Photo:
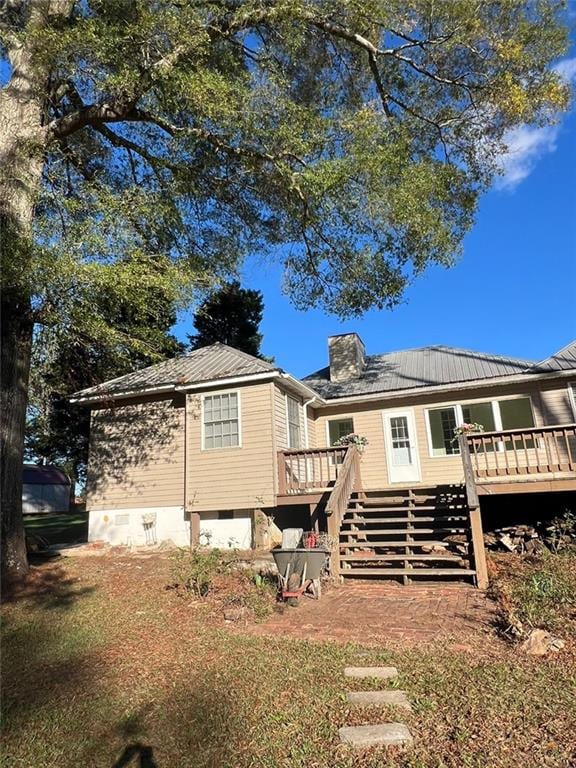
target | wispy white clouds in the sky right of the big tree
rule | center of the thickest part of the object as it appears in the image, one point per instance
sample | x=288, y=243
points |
x=527, y=145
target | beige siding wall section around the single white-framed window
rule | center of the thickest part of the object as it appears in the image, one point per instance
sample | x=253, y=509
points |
x=240, y=477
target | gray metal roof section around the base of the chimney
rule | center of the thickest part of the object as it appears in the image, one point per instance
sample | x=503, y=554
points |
x=412, y=368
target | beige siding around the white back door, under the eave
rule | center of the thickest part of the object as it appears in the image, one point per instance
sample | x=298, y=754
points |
x=550, y=405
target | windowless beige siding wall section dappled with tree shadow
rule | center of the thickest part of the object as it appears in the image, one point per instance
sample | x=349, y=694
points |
x=137, y=455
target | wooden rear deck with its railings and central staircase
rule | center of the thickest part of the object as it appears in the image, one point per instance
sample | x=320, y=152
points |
x=423, y=532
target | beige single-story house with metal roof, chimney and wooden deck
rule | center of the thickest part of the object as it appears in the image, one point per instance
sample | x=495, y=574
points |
x=215, y=446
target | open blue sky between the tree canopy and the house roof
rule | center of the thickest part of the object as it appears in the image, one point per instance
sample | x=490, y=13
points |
x=513, y=292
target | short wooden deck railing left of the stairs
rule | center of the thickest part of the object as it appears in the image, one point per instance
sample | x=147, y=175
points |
x=310, y=469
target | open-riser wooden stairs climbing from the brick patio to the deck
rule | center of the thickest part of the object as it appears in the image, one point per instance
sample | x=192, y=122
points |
x=407, y=534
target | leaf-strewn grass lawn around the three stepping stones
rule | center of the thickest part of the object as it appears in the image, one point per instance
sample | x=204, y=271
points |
x=103, y=666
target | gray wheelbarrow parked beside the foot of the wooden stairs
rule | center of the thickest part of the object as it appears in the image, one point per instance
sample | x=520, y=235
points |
x=298, y=572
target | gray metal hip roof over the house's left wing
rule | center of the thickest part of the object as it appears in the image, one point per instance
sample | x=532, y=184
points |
x=217, y=361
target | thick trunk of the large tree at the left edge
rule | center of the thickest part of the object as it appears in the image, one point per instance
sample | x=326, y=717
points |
x=22, y=147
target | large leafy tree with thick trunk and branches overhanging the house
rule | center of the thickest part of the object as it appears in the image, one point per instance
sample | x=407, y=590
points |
x=140, y=140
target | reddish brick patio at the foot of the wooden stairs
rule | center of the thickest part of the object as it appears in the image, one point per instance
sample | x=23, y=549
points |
x=376, y=613
